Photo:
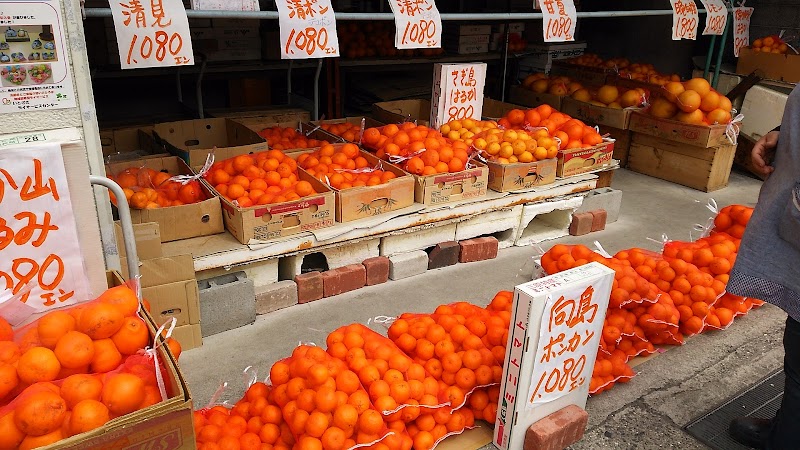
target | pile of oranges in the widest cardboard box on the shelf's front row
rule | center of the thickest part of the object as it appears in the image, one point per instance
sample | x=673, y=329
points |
x=259, y=179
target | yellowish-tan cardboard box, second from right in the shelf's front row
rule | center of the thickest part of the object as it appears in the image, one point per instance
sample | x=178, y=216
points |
x=521, y=176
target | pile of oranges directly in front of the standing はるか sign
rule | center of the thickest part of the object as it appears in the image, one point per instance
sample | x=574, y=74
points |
x=420, y=150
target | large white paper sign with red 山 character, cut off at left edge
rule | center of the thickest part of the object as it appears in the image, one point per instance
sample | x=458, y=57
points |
x=39, y=248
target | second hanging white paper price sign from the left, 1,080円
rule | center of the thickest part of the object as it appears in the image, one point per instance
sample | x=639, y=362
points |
x=308, y=29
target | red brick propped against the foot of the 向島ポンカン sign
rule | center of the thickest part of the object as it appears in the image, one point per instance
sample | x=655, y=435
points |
x=558, y=430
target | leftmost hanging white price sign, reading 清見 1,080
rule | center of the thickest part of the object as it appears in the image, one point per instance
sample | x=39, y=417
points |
x=152, y=34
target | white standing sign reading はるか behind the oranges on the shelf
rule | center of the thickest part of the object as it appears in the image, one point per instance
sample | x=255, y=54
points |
x=457, y=92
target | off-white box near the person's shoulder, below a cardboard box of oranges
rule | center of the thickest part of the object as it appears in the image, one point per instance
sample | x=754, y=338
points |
x=763, y=111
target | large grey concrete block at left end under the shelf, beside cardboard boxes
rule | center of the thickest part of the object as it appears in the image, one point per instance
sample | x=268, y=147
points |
x=226, y=302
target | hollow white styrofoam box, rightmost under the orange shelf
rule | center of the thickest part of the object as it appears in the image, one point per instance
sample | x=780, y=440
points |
x=545, y=221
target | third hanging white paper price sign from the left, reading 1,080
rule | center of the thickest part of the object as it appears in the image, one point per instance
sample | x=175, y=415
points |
x=417, y=24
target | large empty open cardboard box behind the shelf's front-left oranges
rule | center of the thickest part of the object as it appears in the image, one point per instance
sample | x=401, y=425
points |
x=193, y=140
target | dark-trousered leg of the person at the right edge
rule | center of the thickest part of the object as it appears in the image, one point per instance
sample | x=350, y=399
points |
x=785, y=433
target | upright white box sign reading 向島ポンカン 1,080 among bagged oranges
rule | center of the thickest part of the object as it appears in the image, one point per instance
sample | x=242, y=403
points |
x=569, y=303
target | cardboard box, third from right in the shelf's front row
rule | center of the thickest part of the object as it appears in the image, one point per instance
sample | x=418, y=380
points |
x=452, y=187
